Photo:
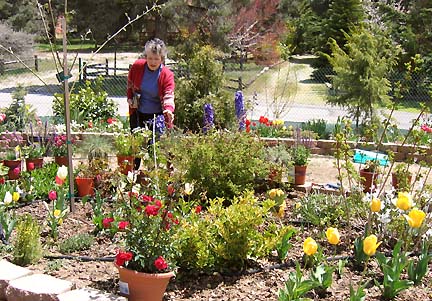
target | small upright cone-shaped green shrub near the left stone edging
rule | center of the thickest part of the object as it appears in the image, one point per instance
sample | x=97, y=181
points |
x=27, y=245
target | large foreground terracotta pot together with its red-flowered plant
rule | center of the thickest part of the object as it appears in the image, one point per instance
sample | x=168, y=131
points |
x=146, y=261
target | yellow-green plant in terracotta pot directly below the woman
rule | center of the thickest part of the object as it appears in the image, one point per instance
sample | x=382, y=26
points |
x=128, y=146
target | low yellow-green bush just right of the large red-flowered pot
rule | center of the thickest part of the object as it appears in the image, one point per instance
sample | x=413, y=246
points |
x=224, y=238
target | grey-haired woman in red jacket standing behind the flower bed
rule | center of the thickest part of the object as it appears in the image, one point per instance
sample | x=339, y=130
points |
x=152, y=83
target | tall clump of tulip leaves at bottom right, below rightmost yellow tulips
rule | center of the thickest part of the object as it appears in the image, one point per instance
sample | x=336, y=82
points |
x=392, y=269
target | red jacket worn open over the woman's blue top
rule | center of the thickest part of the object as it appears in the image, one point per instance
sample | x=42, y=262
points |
x=166, y=84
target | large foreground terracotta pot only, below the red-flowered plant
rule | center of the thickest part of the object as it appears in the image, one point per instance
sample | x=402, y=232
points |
x=138, y=286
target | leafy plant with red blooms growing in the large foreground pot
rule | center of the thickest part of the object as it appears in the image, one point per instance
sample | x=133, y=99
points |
x=149, y=227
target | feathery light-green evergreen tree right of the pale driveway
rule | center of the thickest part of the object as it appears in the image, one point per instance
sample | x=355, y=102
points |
x=361, y=72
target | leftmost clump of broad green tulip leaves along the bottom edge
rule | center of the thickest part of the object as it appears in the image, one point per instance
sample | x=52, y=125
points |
x=296, y=287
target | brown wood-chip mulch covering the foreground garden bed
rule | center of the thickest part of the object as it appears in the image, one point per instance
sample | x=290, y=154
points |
x=261, y=282
